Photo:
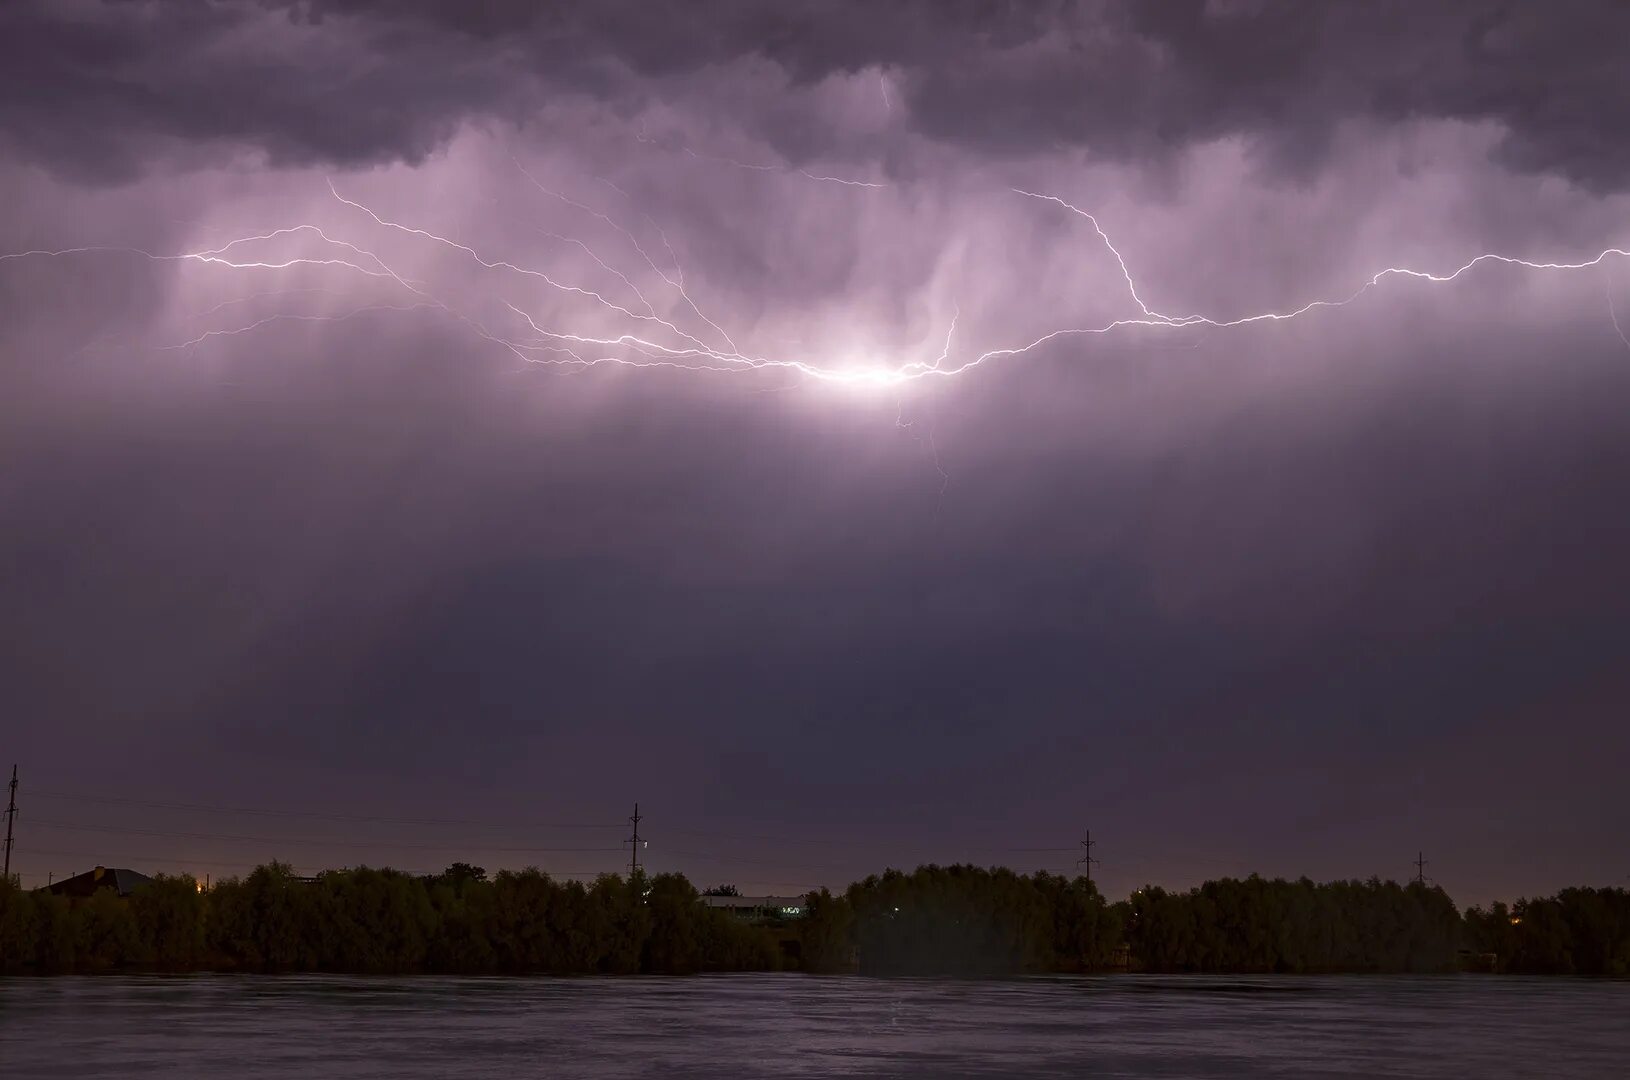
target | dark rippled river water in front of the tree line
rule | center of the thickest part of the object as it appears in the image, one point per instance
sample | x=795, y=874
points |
x=315, y=1027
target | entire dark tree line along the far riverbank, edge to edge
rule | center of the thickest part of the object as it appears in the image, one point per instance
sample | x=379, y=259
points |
x=933, y=921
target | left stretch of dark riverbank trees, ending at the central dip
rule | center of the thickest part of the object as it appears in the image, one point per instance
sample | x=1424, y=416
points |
x=385, y=921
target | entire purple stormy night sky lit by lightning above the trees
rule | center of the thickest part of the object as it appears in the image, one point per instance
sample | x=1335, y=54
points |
x=695, y=450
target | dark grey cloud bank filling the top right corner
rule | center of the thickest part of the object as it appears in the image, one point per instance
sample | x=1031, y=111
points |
x=1147, y=79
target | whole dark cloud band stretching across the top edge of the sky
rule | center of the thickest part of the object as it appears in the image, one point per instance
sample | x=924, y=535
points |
x=350, y=82
